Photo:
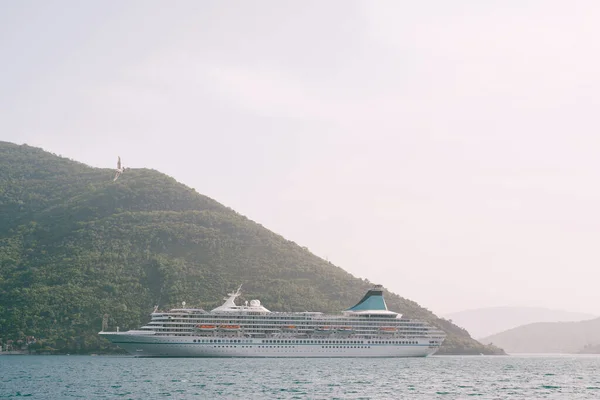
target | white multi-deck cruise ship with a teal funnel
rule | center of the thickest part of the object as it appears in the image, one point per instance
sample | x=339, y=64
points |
x=367, y=329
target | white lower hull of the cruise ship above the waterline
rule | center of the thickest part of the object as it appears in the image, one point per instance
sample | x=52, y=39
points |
x=189, y=346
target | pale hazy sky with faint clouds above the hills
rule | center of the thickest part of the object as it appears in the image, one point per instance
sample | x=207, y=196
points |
x=448, y=150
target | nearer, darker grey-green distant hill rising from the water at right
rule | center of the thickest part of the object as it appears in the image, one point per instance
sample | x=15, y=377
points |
x=550, y=337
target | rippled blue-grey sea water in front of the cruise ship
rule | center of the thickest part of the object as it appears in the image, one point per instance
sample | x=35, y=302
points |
x=443, y=377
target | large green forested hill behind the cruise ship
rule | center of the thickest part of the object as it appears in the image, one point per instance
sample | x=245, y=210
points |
x=75, y=245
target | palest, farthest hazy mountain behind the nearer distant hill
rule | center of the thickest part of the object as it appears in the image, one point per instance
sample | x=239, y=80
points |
x=484, y=322
